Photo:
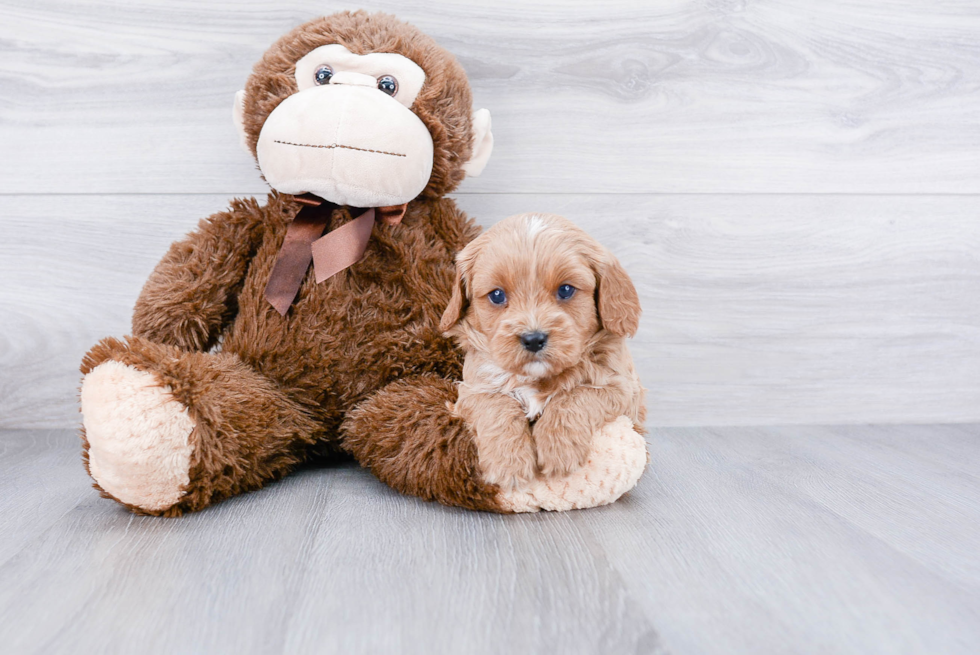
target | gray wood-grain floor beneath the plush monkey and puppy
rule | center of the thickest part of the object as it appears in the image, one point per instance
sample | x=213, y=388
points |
x=737, y=540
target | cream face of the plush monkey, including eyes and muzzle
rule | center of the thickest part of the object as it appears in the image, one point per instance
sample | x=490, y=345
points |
x=349, y=135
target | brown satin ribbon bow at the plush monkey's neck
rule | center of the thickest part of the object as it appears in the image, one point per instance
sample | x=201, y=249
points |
x=331, y=253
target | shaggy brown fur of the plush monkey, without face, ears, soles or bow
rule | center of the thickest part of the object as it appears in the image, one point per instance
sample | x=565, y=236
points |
x=278, y=388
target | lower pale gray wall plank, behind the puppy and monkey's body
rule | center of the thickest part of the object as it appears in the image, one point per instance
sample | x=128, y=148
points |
x=758, y=309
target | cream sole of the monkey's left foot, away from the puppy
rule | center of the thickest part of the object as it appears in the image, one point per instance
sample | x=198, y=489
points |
x=138, y=437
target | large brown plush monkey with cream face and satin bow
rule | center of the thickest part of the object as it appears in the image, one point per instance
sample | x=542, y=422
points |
x=245, y=360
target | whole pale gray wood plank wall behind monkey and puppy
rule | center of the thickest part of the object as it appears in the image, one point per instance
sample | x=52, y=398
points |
x=793, y=185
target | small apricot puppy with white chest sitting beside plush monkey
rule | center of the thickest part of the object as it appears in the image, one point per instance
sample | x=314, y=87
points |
x=542, y=312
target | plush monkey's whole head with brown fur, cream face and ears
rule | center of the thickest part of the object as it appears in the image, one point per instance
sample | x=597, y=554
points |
x=362, y=110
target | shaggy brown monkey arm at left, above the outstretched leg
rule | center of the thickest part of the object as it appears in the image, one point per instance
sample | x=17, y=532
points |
x=191, y=296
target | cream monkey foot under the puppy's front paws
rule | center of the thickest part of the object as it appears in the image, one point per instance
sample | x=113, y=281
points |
x=618, y=459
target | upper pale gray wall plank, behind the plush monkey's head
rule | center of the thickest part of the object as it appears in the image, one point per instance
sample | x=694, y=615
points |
x=680, y=96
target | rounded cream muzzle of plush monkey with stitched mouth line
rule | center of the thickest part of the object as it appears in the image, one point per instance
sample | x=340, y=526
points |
x=348, y=144
